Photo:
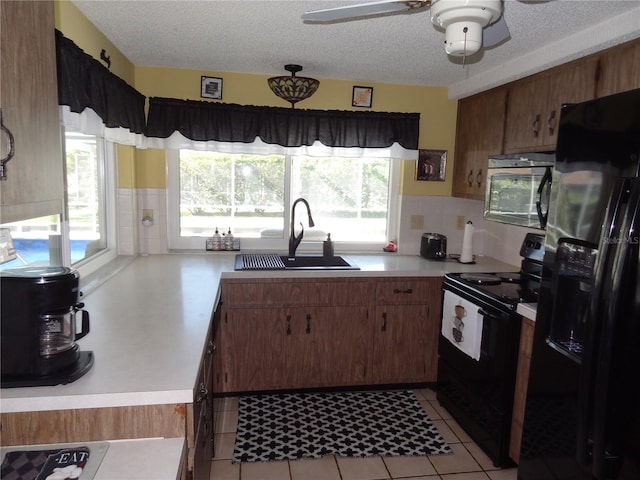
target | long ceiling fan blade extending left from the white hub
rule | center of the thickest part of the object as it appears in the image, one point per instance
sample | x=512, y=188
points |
x=362, y=10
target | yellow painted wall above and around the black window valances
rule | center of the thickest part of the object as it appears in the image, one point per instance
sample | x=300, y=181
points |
x=147, y=168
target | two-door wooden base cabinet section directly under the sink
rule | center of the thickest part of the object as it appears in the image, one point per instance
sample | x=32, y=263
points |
x=294, y=334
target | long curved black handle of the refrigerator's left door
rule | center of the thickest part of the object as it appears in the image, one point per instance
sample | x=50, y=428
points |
x=602, y=280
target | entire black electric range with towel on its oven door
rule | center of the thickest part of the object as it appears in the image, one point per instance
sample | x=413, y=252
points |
x=476, y=385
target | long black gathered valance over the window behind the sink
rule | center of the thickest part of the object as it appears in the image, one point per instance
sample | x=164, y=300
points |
x=207, y=121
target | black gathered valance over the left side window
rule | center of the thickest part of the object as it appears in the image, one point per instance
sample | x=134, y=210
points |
x=83, y=82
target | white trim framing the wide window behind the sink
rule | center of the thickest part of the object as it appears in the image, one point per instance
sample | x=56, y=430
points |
x=175, y=242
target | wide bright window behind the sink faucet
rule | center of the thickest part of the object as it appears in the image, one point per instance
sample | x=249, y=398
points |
x=252, y=194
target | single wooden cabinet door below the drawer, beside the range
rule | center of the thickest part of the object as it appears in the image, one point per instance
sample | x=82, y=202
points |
x=400, y=349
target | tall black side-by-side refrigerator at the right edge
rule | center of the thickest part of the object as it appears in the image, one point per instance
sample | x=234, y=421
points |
x=582, y=415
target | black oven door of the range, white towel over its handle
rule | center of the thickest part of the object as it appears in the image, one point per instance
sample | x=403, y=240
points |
x=479, y=392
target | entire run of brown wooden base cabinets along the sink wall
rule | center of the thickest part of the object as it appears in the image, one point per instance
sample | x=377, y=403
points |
x=299, y=334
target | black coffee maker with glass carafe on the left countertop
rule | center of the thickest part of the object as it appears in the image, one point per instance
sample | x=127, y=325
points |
x=39, y=306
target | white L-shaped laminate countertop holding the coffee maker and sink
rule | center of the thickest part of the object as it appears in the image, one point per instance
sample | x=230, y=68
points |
x=150, y=320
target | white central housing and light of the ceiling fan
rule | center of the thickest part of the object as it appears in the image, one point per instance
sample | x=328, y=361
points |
x=463, y=21
